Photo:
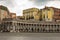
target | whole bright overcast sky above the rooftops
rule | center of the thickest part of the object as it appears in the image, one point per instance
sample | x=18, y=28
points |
x=17, y=6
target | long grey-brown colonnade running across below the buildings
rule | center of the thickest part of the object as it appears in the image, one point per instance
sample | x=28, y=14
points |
x=29, y=27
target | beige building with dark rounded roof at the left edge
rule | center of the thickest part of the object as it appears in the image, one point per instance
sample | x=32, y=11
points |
x=4, y=12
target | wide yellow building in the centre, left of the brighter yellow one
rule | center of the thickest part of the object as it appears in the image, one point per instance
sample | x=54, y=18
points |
x=32, y=13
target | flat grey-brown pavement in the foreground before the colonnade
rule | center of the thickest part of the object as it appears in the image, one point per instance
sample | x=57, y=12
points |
x=29, y=36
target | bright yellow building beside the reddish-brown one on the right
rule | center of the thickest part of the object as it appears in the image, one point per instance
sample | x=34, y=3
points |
x=47, y=14
